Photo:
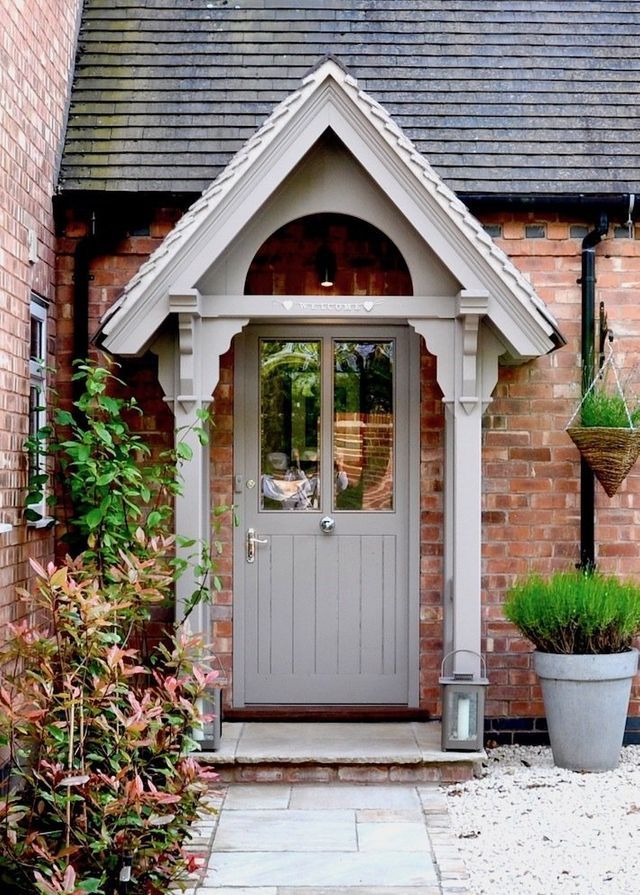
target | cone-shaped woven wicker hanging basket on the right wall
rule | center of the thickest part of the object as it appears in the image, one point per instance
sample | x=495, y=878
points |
x=610, y=453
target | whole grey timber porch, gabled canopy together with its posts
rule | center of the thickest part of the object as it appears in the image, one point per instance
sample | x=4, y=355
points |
x=331, y=148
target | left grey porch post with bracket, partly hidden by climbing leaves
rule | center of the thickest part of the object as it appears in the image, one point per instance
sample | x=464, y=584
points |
x=189, y=370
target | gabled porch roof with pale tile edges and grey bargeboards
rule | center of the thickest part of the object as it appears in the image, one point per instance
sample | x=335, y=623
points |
x=329, y=99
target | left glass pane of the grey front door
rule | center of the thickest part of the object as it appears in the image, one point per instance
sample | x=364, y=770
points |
x=289, y=424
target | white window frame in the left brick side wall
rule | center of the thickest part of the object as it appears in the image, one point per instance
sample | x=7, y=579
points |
x=37, y=411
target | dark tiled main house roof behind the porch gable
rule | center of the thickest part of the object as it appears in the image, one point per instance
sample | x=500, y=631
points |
x=503, y=98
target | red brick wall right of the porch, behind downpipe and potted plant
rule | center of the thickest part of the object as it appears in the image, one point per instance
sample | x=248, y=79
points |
x=531, y=468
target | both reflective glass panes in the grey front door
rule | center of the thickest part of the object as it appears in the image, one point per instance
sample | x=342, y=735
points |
x=362, y=426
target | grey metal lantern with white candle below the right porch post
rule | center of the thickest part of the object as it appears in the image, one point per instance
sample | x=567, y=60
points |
x=463, y=708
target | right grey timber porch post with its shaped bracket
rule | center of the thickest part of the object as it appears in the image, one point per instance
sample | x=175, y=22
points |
x=467, y=372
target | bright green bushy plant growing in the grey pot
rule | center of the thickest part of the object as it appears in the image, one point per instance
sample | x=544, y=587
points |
x=576, y=612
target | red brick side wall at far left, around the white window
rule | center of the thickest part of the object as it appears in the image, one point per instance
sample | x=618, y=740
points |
x=37, y=44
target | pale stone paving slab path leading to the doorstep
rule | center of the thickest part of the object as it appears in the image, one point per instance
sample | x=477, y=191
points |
x=326, y=839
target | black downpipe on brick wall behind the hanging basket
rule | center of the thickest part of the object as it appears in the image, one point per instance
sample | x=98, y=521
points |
x=587, y=478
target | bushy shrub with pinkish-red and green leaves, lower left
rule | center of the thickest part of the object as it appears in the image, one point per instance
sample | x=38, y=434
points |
x=99, y=734
